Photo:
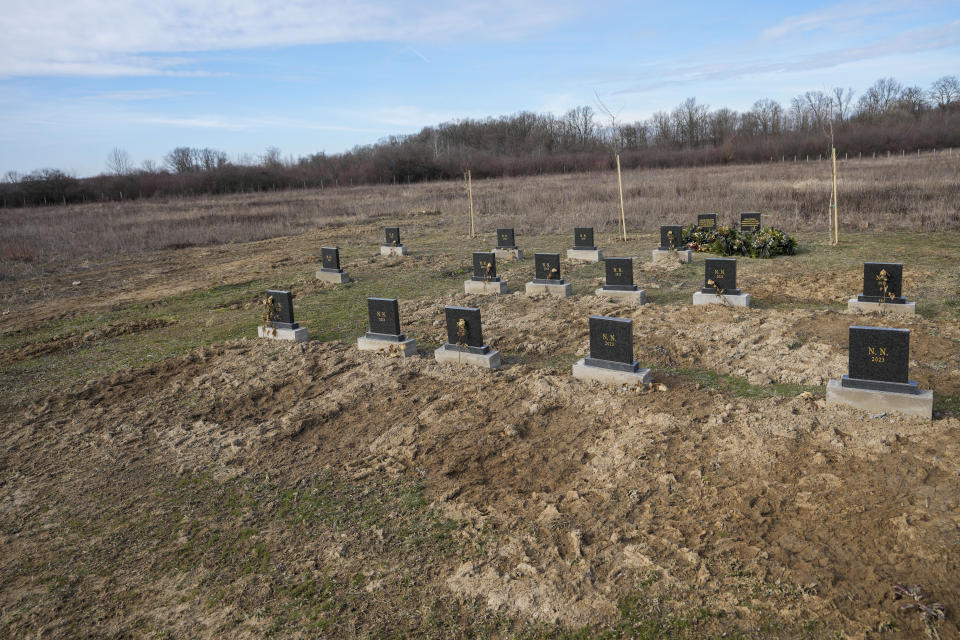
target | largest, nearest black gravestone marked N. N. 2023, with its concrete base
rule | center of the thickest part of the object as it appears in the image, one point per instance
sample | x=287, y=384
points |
x=879, y=361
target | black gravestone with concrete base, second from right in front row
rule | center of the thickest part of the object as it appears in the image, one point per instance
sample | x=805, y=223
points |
x=611, y=353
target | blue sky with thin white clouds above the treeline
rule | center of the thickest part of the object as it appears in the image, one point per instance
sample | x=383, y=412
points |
x=82, y=77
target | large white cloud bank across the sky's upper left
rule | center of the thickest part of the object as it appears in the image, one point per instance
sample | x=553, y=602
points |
x=124, y=38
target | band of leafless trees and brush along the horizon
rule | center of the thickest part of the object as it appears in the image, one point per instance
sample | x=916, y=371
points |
x=886, y=117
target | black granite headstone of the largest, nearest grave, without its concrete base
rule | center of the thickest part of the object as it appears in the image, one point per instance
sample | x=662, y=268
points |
x=879, y=360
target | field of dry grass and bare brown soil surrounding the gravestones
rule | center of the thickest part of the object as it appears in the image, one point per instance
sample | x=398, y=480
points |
x=165, y=474
